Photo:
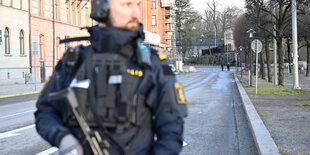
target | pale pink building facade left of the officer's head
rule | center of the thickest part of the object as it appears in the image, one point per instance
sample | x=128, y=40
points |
x=48, y=27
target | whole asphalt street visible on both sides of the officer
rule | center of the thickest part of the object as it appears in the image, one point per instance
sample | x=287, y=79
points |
x=216, y=123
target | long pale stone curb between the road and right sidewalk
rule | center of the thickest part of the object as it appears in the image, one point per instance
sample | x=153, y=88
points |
x=264, y=143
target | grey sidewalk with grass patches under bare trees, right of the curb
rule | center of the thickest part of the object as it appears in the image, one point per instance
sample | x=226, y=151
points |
x=287, y=122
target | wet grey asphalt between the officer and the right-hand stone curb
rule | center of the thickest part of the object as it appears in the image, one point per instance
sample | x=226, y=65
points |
x=216, y=122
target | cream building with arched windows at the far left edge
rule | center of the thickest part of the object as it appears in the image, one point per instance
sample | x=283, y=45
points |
x=14, y=41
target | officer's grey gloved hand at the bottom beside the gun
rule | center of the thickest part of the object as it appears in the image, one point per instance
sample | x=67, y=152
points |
x=69, y=145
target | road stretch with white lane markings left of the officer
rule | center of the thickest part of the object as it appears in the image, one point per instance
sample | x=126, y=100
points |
x=17, y=130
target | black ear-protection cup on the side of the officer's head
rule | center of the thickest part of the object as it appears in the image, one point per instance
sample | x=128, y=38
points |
x=99, y=10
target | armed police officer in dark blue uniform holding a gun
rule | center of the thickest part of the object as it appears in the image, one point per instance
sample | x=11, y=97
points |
x=125, y=90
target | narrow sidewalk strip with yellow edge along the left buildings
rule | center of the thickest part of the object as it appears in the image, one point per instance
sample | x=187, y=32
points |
x=19, y=89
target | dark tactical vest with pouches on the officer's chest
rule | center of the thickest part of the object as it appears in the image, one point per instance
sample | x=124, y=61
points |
x=111, y=98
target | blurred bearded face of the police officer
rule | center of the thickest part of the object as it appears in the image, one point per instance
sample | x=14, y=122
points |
x=125, y=14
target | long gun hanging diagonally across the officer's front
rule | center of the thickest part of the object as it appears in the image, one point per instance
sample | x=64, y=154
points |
x=92, y=136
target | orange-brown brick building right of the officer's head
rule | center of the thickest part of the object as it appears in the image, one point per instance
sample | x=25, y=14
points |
x=157, y=17
